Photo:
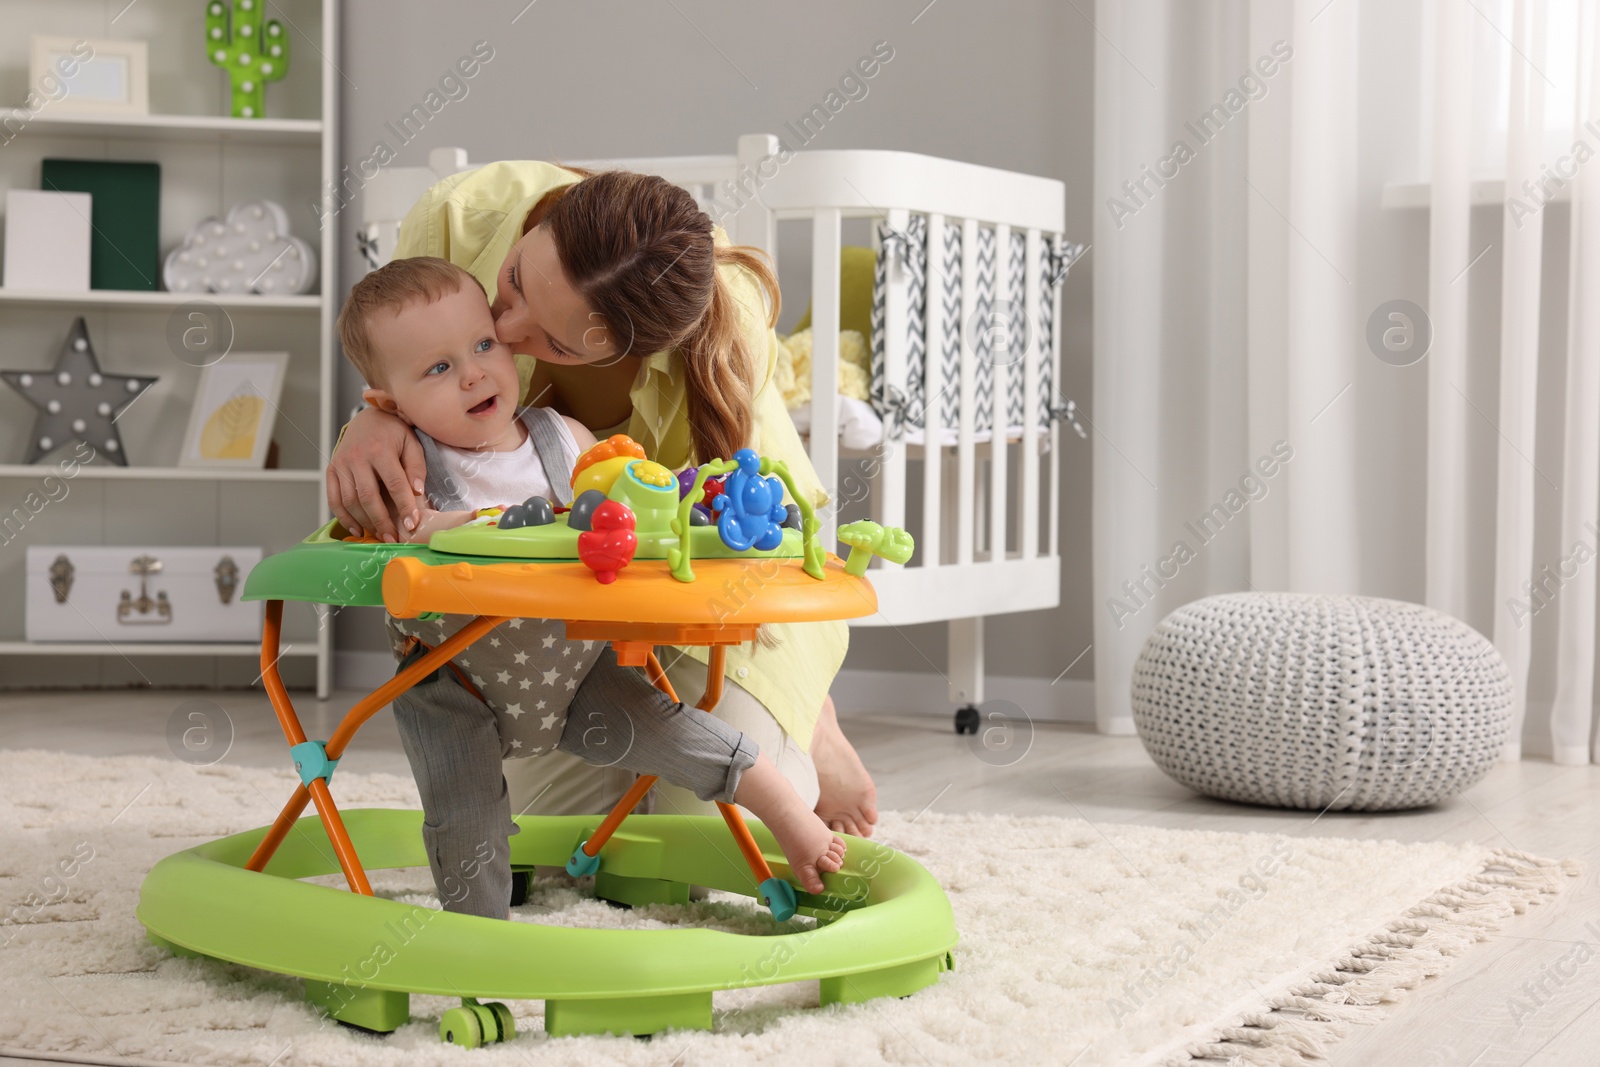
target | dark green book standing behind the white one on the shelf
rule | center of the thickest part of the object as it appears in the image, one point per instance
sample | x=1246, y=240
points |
x=127, y=218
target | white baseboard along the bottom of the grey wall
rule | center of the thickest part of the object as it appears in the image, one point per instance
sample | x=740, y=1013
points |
x=1071, y=700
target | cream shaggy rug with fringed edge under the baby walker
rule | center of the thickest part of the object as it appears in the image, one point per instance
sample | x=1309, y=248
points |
x=1081, y=945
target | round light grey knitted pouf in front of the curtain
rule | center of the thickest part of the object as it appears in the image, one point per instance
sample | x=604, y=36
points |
x=1308, y=701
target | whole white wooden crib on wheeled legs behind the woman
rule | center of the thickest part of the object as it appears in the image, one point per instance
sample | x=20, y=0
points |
x=990, y=519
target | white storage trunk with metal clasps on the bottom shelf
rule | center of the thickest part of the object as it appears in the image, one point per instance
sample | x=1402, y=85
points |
x=110, y=594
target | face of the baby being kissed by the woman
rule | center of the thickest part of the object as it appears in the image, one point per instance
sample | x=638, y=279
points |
x=447, y=372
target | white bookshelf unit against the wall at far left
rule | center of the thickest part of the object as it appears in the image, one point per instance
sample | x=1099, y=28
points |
x=209, y=164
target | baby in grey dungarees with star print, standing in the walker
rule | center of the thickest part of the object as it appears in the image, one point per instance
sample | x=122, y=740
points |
x=423, y=338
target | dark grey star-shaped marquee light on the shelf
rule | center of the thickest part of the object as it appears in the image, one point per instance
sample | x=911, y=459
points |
x=76, y=401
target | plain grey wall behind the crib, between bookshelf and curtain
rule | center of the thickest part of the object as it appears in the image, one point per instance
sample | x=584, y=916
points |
x=998, y=82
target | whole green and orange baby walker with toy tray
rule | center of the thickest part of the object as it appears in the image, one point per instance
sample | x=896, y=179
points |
x=622, y=565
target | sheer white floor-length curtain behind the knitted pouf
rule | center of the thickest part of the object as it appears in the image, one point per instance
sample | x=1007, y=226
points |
x=1292, y=201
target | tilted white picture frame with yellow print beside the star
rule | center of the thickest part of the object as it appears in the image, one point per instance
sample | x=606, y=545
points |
x=234, y=412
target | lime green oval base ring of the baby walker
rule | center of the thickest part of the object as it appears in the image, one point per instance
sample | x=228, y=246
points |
x=884, y=927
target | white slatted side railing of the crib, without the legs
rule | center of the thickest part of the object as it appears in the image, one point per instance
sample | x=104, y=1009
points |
x=970, y=495
